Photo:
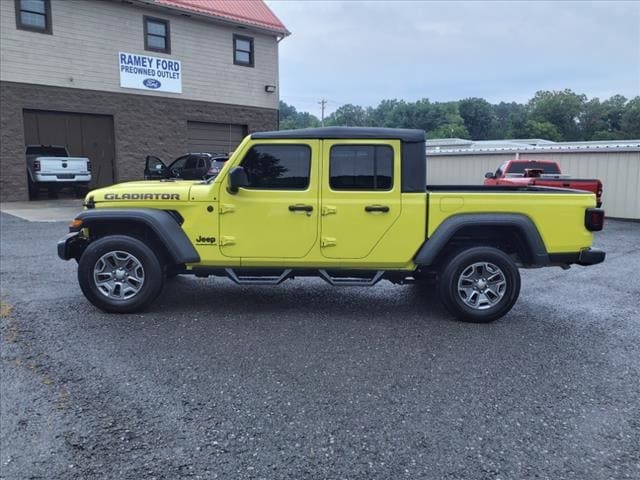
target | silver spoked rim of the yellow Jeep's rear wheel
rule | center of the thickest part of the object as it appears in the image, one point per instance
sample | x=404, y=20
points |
x=482, y=285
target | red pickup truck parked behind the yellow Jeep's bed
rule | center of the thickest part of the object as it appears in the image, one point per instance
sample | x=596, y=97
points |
x=543, y=173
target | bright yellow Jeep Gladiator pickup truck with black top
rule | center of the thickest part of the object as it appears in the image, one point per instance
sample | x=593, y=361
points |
x=350, y=205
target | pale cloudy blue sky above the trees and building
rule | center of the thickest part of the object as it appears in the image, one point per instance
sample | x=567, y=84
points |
x=362, y=52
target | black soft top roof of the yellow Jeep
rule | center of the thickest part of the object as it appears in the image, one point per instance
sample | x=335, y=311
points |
x=404, y=134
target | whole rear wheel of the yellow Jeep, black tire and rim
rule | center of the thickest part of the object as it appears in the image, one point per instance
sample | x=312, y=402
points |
x=494, y=293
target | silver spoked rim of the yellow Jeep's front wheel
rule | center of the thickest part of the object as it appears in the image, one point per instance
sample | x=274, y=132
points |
x=118, y=275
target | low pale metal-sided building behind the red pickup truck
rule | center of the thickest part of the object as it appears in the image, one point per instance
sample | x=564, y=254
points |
x=616, y=163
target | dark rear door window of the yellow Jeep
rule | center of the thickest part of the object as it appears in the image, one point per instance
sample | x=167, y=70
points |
x=361, y=167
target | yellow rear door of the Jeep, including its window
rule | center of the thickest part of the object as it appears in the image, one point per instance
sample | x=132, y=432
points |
x=360, y=196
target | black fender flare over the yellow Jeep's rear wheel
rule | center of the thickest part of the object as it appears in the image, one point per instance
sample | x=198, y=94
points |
x=433, y=247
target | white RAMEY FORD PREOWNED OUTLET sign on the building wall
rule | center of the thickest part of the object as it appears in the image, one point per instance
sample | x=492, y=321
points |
x=150, y=73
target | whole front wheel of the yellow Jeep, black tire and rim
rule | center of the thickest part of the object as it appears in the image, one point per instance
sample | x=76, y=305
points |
x=97, y=254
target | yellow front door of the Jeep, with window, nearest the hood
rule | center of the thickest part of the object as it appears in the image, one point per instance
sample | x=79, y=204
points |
x=276, y=215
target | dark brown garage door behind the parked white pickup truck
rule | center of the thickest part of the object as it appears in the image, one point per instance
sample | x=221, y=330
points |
x=84, y=135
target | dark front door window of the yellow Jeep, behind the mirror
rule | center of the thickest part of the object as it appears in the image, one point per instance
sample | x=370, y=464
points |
x=278, y=167
